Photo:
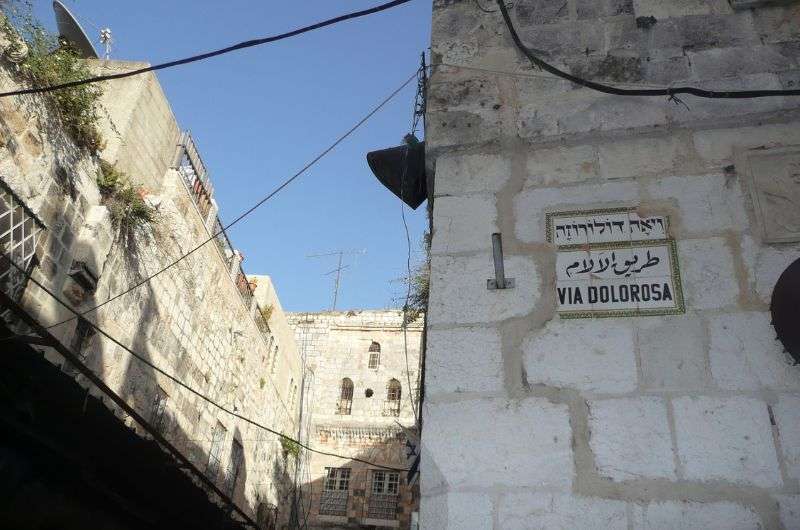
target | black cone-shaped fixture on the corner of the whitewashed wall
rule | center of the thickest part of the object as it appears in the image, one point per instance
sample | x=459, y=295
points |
x=402, y=170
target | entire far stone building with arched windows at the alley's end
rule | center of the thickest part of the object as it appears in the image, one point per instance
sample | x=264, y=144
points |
x=361, y=406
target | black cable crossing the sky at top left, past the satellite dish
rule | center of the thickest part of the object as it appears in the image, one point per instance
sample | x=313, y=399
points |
x=207, y=55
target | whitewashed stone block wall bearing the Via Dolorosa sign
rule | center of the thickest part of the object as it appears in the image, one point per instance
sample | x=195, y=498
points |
x=631, y=377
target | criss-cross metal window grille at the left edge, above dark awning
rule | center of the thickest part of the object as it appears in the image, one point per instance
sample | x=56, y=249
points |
x=19, y=231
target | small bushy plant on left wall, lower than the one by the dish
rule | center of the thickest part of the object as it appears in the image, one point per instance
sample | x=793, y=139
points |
x=130, y=213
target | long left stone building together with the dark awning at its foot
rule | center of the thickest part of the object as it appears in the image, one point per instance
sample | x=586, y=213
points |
x=202, y=321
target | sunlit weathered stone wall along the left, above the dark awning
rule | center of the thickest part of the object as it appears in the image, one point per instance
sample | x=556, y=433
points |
x=191, y=320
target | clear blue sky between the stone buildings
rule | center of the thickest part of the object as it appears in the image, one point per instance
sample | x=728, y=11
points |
x=260, y=114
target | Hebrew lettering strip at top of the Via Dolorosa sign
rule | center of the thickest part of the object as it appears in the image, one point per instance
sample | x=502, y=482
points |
x=605, y=228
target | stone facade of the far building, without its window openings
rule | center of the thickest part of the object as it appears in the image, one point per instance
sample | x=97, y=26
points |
x=336, y=345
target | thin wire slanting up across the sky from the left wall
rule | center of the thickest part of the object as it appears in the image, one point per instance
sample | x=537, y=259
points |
x=247, y=212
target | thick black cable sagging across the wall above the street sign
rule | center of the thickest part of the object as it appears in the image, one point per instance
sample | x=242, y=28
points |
x=607, y=89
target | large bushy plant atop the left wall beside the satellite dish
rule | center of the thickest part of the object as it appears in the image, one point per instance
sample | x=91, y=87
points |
x=48, y=62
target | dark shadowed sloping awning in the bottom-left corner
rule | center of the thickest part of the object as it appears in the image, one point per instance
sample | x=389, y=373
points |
x=66, y=461
